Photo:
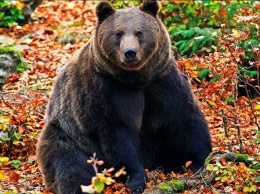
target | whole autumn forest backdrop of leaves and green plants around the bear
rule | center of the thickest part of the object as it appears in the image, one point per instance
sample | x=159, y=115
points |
x=217, y=45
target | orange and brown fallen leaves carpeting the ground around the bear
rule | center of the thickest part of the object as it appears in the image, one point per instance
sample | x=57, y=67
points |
x=58, y=31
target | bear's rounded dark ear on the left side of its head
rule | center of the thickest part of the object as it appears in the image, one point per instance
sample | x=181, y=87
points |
x=103, y=10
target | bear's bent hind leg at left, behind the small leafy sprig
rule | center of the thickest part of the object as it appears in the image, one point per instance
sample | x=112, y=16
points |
x=63, y=166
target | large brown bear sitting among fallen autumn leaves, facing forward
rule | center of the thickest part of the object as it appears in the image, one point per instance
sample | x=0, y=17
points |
x=122, y=97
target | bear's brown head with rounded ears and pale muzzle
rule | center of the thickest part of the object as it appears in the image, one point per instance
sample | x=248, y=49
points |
x=131, y=38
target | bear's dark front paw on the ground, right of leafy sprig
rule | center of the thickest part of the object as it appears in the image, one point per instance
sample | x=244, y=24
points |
x=137, y=183
